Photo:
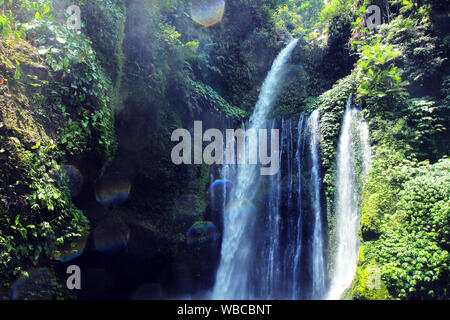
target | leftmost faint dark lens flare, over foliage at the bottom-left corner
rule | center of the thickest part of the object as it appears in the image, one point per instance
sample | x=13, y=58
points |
x=35, y=284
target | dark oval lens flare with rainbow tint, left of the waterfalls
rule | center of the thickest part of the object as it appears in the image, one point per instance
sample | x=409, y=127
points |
x=112, y=191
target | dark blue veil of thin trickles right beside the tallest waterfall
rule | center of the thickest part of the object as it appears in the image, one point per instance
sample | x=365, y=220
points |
x=278, y=252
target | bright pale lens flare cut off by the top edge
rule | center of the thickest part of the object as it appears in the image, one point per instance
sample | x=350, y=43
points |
x=207, y=13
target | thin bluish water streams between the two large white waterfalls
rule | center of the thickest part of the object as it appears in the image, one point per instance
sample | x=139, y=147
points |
x=279, y=261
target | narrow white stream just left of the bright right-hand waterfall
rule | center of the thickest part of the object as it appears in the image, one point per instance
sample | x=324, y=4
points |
x=318, y=270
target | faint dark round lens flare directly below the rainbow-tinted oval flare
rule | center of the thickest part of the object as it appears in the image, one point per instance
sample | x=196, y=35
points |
x=111, y=237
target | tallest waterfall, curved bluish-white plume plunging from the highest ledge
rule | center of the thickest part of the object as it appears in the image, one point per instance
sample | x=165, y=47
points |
x=232, y=279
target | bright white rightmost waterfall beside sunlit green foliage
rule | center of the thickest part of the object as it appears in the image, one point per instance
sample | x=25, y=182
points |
x=353, y=150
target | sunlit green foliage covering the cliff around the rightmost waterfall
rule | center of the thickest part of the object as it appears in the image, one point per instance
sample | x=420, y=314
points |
x=405, y=203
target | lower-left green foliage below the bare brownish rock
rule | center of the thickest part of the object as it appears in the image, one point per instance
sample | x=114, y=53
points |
x=34, y=228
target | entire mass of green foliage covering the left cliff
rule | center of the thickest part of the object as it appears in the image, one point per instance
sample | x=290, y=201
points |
x=58, y=75
